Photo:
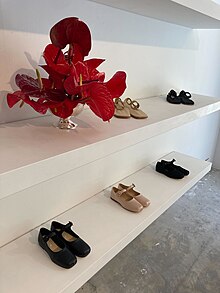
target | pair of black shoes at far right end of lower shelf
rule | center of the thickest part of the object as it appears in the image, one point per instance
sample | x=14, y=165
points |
x=171, y=170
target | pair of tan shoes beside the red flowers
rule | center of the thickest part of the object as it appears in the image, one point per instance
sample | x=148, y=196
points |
x=128, y=108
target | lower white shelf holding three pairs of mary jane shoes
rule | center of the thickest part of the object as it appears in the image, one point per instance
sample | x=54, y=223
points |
x=102, y=223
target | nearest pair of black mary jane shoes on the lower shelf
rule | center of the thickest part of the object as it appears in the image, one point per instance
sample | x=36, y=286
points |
x=62, y=244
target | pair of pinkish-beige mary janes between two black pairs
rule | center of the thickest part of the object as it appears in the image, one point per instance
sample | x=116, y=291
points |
x=128, y=198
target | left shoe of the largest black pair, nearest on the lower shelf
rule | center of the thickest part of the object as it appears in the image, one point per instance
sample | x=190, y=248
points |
x=56, y=249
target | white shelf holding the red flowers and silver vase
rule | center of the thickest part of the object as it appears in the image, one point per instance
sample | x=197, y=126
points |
x=32, y=149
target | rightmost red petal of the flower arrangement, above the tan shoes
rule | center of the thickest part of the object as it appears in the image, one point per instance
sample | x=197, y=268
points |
x=117, y=84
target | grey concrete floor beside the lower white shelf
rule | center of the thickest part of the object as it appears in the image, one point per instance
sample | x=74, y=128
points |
x=178, y=253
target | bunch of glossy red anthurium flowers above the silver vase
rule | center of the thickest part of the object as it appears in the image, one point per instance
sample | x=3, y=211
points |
x=71, y=79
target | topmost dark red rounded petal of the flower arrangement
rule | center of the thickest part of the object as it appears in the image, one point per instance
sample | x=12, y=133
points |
x=71, y=30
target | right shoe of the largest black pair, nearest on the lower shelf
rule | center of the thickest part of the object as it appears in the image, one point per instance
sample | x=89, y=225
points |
x=75, y=244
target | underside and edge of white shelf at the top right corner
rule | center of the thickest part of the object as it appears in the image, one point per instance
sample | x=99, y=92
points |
x=197, y=14
